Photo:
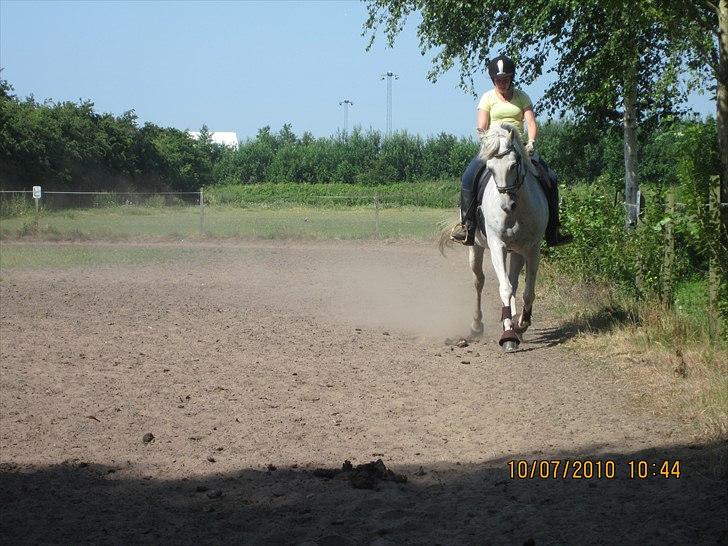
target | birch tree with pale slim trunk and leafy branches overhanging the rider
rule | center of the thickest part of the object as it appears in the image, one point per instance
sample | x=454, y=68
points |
x=609, y=54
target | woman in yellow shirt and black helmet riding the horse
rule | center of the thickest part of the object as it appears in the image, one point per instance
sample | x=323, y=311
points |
x=504, y=104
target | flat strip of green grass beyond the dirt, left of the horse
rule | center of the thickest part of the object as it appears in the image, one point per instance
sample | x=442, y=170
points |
x=228, y=221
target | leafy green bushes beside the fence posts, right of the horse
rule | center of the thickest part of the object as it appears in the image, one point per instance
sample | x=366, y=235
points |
x=633, y=261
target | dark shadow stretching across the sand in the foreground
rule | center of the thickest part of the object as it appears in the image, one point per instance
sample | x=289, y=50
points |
x=444, y=503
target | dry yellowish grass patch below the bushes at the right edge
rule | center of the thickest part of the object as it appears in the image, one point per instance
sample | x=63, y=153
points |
x=672, y=355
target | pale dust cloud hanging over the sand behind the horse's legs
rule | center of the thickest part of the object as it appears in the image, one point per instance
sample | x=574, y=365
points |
x=413, y=290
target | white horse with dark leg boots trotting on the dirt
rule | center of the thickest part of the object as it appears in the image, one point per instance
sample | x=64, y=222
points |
x=515, y=213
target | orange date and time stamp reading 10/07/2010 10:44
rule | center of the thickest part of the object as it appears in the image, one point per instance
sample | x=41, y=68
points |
x=589, y=469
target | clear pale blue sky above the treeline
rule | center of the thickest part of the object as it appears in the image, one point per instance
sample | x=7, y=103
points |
x=235, y=66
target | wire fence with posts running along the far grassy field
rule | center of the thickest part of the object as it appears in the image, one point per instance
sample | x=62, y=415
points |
x=90, y=215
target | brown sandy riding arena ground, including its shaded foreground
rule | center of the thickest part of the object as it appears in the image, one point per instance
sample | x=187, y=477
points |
x=302, y=356
